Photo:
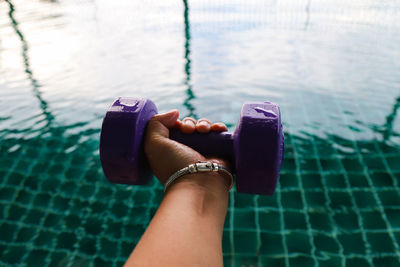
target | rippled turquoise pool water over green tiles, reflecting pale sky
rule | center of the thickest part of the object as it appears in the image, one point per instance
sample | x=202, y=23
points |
x=333, y=66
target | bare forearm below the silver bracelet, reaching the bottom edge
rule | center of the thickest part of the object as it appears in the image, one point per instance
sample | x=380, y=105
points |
x=187, y=228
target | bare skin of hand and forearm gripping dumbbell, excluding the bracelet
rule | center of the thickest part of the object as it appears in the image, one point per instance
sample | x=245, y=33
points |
x=187, y=227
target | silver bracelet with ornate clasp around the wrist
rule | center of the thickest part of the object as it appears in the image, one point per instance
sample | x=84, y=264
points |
x=199, y=167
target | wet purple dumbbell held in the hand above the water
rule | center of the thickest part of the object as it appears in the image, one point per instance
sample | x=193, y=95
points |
x=255, y=148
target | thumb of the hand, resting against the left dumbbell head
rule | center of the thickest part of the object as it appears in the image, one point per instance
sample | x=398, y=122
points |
x=159, y=124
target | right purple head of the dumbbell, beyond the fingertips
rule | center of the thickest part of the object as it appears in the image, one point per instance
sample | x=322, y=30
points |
x=258, y=147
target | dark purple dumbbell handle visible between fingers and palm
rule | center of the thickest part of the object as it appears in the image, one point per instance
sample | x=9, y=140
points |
x=208, y=144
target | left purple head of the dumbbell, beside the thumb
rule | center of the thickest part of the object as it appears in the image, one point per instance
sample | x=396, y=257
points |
x=121, y=141
